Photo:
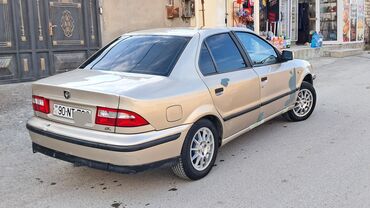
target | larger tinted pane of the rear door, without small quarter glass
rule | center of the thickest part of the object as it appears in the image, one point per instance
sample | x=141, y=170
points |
x=225, y=53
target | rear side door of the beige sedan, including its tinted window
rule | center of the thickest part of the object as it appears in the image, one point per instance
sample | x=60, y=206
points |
x=232, y=83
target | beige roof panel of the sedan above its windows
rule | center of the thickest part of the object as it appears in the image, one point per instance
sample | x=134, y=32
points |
x=186, y=31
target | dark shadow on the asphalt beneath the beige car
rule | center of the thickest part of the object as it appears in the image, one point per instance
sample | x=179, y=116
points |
x=112, y=179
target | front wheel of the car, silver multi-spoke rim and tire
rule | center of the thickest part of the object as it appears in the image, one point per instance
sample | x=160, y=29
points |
x=302, y=110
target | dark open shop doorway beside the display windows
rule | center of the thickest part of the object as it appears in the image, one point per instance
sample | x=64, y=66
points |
x=306, y=21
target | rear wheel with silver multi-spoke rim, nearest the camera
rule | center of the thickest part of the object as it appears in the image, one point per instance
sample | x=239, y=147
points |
x=187, y=168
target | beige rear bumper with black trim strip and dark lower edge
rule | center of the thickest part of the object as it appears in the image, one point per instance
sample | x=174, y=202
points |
x=102, y=149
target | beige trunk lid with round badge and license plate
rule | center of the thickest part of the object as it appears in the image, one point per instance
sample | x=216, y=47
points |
x=74, y=96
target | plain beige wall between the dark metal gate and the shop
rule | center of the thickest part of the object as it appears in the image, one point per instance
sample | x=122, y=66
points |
x=120, y=16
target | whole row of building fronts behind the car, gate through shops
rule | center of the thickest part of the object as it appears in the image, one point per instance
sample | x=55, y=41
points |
x=45, y=37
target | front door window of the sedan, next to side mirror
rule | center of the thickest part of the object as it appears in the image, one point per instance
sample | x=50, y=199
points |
x=260, y=52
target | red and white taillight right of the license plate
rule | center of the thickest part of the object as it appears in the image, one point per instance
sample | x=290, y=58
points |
x=116, y=117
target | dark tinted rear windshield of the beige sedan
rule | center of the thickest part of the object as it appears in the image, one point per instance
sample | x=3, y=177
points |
x=139, y=54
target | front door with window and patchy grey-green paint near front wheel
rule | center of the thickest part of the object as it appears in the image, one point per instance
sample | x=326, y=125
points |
x=277, y=79
